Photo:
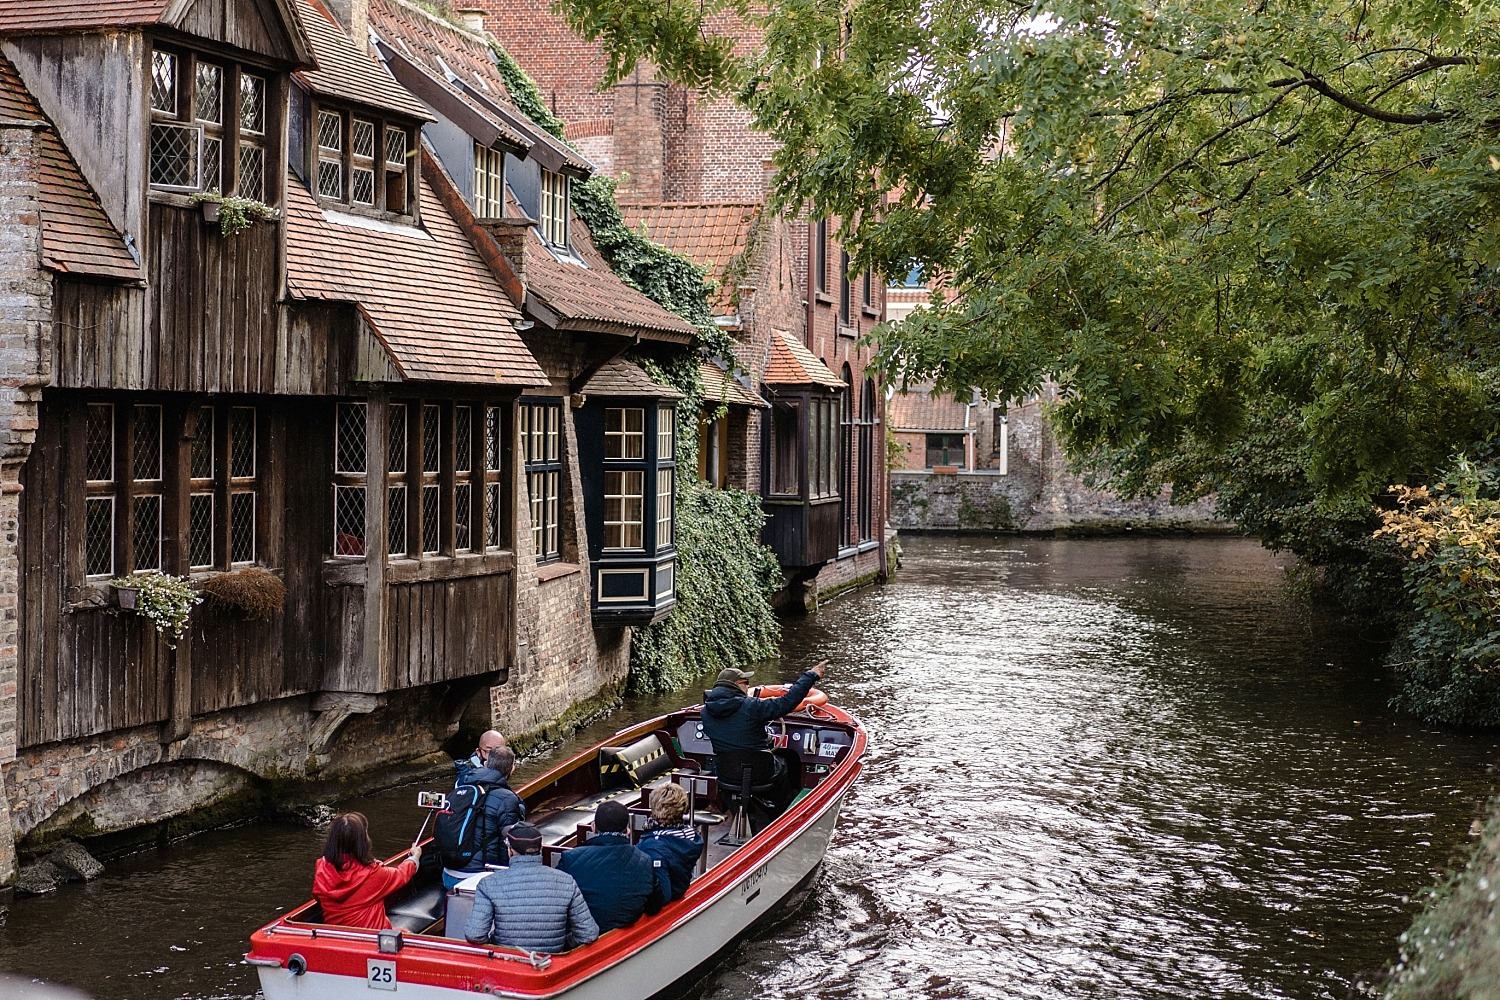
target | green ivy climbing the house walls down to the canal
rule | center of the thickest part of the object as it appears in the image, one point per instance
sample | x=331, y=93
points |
x=725, y=576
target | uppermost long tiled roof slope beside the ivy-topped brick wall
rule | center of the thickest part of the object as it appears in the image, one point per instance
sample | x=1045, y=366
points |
x=464, y=65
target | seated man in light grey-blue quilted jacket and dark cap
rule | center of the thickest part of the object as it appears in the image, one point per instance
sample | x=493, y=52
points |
x=529, y=905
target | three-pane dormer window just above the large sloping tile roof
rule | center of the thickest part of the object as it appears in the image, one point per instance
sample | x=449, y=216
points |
x=364, y=163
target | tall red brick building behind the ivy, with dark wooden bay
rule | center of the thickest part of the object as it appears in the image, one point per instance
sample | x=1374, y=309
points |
x=694, y=173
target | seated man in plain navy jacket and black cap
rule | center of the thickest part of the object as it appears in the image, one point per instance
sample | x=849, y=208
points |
x=617, y=879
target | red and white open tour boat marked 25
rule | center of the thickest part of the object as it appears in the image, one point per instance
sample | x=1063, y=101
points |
x=743, y=878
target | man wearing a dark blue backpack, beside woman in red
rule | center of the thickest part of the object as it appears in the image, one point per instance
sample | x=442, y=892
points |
x=472, y=833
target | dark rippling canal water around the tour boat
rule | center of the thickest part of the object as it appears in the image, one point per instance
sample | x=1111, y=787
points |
x=1100, y=768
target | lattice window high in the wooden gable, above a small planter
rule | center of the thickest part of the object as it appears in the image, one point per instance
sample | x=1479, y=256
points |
x=209, y=127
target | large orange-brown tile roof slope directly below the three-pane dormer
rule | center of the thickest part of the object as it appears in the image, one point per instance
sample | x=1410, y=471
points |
x=427, y=293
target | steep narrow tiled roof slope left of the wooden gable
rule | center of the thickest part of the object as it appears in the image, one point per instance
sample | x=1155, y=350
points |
x=77, y=238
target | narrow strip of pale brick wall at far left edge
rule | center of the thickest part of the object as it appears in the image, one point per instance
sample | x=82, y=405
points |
x=25, y=368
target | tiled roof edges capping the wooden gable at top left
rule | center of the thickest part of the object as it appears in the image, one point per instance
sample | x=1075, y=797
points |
x=40, y=17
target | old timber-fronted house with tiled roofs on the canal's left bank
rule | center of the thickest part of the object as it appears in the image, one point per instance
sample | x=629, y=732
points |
x=344, y=397
